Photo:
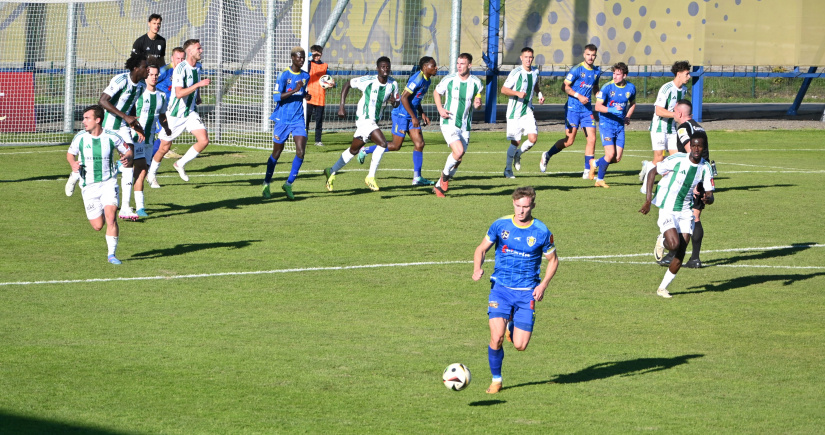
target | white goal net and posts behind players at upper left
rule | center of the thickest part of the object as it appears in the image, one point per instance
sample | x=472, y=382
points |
x=57, y=57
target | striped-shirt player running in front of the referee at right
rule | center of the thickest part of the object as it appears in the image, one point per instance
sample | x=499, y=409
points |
x=681, y=173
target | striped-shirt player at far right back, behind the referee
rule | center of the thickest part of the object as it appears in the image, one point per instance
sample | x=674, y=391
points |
x=663, y=126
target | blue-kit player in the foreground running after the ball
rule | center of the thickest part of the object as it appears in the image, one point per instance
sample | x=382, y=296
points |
x=521, y=241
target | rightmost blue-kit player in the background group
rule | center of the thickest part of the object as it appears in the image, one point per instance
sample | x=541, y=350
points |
x=616, y=101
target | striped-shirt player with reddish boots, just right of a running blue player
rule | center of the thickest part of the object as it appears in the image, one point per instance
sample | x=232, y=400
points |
x=463, y=94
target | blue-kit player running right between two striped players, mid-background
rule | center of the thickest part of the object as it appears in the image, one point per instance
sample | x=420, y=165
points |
x=408, y=118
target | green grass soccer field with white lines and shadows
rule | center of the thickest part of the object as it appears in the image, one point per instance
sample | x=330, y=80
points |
x=337, y=312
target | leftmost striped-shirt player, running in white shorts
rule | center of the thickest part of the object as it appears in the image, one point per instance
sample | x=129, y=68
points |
x=92, y=155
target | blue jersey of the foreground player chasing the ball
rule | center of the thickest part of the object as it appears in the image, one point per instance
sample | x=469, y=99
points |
x=519, y=251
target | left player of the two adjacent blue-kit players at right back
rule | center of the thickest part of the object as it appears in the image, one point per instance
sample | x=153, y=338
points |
x=578, y=85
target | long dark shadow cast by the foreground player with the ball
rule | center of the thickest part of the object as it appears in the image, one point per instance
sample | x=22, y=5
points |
x=633, y=367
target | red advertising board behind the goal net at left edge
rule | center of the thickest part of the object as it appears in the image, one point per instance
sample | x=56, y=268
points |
x=17, y=102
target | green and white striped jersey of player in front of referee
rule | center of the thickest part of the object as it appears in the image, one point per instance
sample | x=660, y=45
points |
x=679, y=177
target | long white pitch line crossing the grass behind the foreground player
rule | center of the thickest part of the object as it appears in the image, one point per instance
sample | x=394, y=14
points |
x=591, y=258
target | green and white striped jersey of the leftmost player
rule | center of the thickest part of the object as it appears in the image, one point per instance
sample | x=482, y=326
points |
x=97, y=155
